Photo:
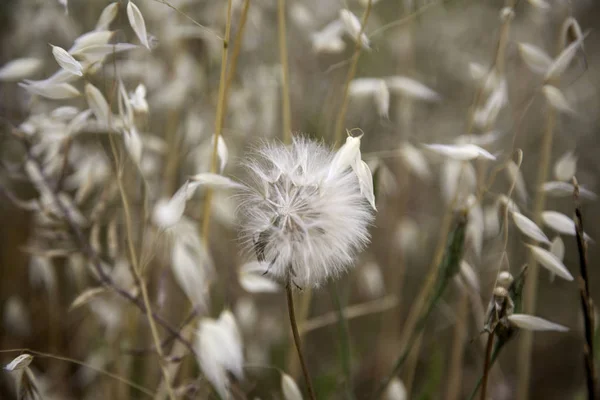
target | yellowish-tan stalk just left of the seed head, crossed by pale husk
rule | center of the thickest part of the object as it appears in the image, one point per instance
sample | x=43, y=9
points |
x=219, y=118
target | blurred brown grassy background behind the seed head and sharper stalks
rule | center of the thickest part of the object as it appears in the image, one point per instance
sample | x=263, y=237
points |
x=448, y=56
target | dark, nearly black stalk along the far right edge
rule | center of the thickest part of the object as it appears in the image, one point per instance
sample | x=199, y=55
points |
x=587, y=304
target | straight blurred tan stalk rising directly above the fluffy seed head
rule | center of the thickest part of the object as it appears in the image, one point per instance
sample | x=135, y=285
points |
x=285, y=72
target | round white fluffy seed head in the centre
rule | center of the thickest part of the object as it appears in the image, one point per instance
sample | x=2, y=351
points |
x=303, y=216
